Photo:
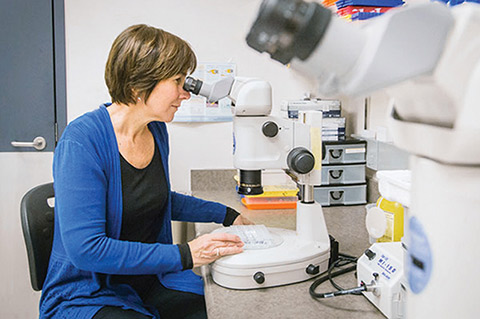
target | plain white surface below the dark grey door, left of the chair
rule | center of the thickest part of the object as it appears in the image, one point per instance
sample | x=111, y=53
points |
x=19, y=172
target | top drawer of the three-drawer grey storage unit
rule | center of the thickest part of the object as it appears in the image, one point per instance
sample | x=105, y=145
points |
x=344, y=152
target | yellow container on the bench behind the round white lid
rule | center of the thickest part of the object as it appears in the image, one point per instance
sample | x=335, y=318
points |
x=394, y=214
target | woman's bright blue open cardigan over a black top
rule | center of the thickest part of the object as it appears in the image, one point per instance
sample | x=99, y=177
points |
x=88, y=217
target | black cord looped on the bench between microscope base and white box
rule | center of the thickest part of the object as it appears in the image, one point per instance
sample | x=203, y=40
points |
x=342, y=261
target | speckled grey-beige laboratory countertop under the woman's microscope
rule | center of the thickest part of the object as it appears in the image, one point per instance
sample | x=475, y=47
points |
x=345, y=223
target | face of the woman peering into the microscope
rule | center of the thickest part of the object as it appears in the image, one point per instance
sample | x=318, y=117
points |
x=166, y=98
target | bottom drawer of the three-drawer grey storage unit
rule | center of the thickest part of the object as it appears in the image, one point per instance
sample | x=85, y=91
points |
x=341, y=195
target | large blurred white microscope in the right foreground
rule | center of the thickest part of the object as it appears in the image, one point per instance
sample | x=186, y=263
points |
x=428, y=58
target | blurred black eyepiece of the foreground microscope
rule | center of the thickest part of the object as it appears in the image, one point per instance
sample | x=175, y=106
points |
x=288, y=28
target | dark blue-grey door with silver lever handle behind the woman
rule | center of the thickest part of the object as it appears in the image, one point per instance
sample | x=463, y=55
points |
x=32, y=80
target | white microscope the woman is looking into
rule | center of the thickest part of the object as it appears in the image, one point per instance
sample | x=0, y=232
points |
x=264, y=141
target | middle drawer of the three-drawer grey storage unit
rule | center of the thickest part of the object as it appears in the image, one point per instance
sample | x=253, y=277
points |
x=343, y=174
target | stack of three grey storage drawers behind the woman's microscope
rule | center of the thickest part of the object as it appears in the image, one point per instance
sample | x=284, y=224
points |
x=343, y=173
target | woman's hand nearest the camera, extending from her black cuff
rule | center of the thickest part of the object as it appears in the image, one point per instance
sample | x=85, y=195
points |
x=208, y=248
